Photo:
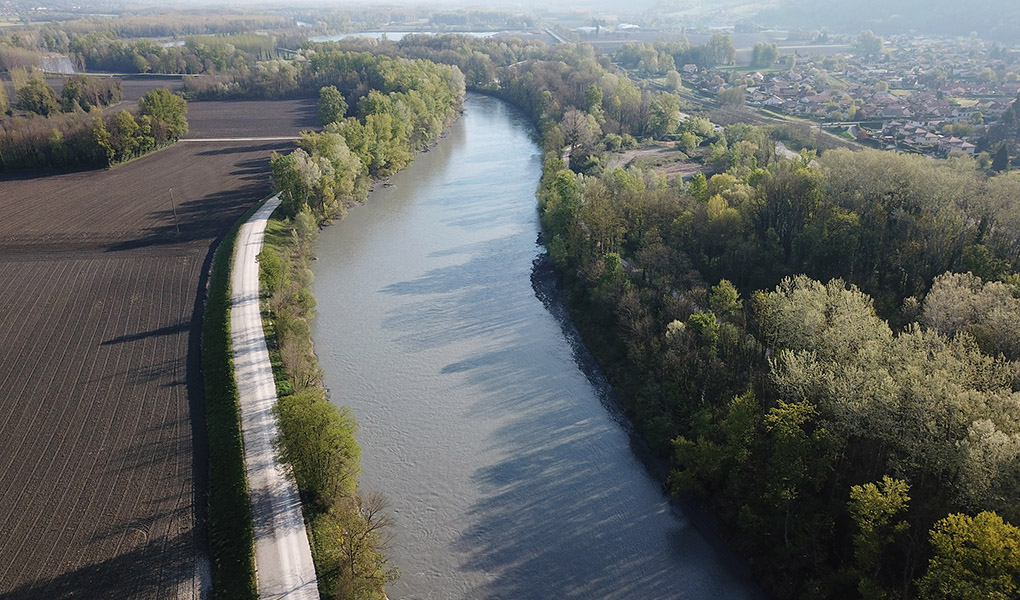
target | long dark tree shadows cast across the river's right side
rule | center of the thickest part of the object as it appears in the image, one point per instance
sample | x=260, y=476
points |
x=567, y=510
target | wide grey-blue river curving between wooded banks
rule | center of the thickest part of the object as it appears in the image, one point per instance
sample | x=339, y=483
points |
x=508, y=473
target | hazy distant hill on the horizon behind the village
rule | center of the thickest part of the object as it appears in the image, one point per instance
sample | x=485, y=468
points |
x=992, y=20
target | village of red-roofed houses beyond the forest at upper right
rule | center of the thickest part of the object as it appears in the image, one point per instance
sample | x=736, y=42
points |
x=917, y=94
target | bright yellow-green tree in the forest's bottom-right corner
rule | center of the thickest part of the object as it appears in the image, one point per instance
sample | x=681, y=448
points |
x=976, y=559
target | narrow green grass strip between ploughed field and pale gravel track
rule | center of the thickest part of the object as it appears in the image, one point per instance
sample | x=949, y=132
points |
x=232, y=541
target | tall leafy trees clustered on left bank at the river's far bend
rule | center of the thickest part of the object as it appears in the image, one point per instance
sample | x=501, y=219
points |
x=400, y=107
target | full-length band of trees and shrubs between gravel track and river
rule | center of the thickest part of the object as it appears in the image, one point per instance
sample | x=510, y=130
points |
x=397, y=108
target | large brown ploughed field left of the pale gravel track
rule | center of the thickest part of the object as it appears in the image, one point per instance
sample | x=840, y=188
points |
x=104, y=465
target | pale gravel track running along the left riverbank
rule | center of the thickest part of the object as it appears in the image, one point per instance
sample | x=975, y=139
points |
x=283, y=558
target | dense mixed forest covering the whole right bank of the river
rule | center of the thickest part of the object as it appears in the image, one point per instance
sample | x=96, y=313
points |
x=825, y=347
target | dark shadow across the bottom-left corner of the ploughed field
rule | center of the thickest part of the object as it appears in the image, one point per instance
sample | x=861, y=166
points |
x=141, y=573
